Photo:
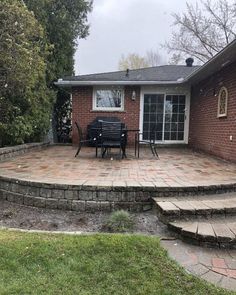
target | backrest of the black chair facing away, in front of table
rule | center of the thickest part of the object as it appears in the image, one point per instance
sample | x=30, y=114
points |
x=112, y=130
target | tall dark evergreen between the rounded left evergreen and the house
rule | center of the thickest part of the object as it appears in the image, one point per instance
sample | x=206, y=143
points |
x=64, y=22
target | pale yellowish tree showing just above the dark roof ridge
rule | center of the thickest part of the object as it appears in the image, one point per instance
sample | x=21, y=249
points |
x=135, y=61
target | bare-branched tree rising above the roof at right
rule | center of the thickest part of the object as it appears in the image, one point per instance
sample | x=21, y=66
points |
x=203, y=31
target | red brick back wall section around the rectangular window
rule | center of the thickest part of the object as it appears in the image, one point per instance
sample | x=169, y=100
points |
x=82, y=106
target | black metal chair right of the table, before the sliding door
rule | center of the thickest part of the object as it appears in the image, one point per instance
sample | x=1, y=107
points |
x=151, y=142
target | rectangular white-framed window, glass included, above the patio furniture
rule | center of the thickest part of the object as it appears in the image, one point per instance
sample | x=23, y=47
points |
x=108, y=99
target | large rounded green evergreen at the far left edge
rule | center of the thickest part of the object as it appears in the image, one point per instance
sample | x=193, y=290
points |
x=25, y=100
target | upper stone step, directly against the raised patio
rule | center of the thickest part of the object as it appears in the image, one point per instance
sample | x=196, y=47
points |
x=170, y=209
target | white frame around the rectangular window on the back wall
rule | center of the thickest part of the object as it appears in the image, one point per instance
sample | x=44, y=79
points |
x=107, y=109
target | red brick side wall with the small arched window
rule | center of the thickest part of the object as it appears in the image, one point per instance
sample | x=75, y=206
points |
x=208, y=132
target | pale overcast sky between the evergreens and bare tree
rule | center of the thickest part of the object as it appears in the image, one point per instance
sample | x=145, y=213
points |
x=125, y=26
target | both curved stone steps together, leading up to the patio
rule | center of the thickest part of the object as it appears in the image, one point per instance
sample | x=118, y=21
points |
x=208, y=220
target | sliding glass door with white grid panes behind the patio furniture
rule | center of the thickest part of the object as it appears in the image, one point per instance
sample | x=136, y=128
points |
x=165, y=114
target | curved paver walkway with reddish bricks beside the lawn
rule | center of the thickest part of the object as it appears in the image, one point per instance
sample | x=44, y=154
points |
x=217, y=266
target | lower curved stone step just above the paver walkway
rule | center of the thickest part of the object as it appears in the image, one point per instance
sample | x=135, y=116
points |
x=214, y=232
